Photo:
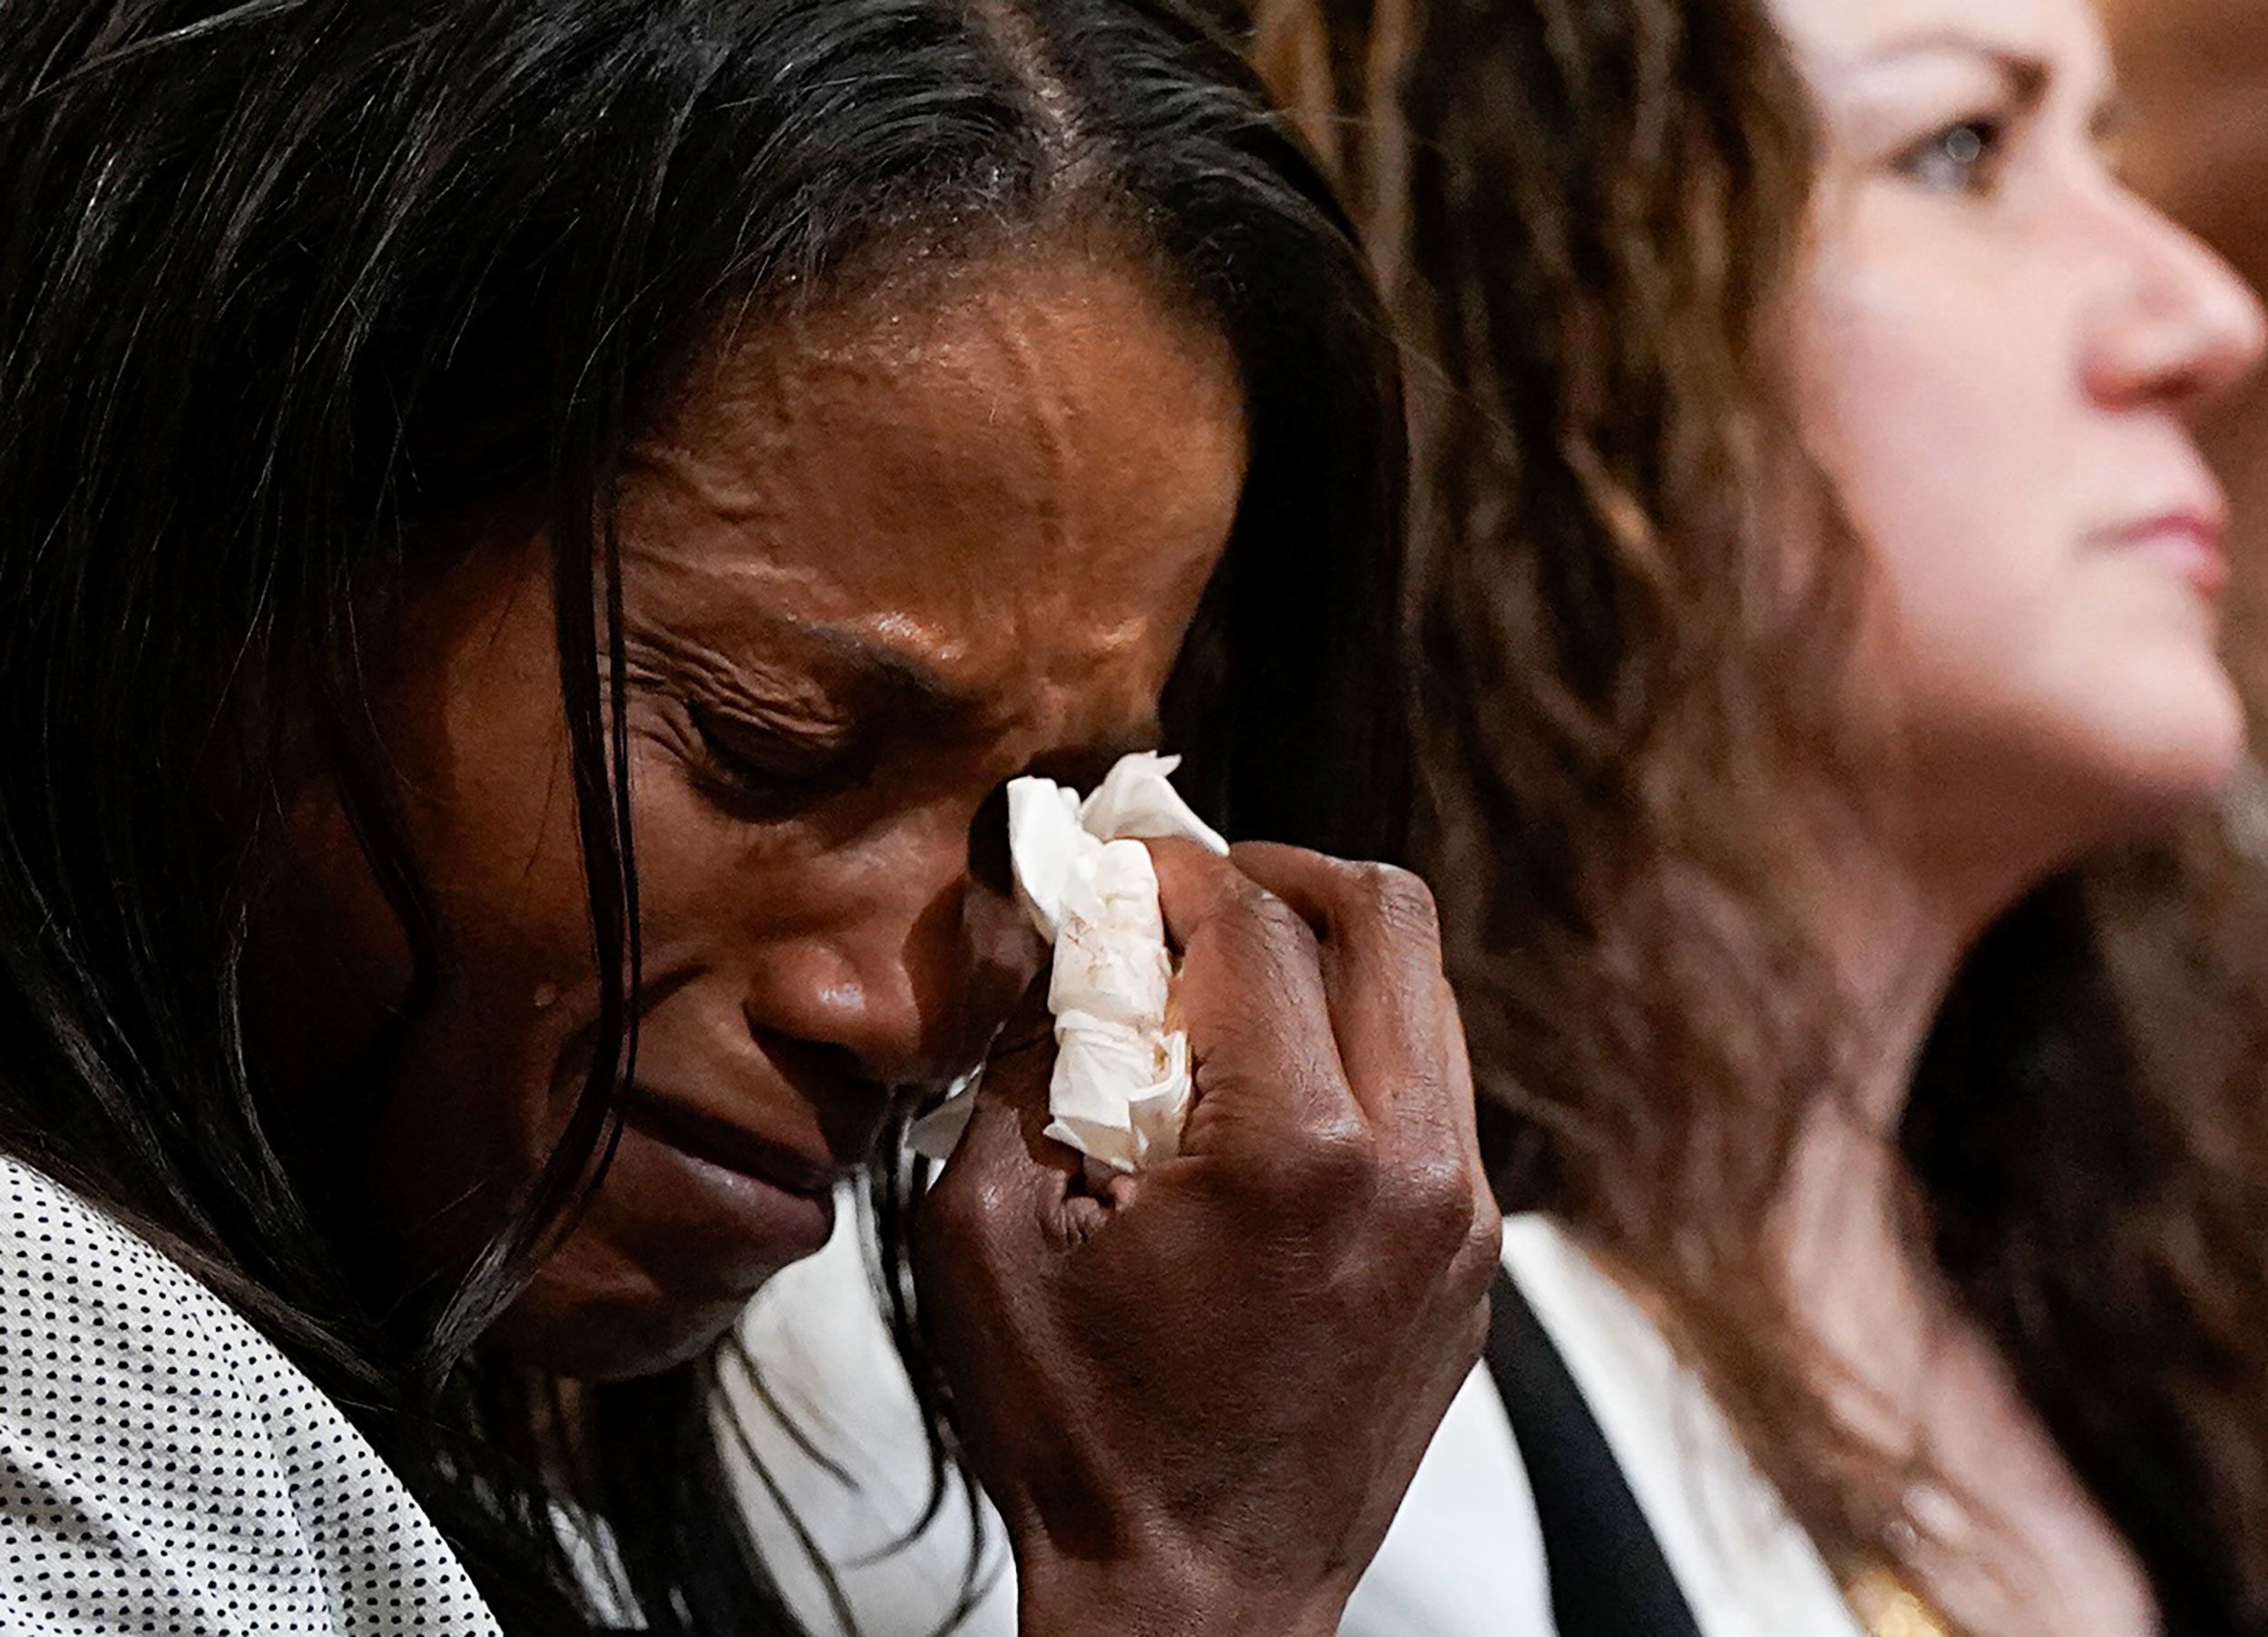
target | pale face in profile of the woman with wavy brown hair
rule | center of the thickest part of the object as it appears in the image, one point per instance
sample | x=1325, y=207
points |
x=1997, y=355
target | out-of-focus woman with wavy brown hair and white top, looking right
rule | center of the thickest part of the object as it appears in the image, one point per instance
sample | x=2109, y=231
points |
x=1818, y=579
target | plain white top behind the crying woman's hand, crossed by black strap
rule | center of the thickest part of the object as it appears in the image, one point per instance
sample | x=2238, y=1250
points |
x=1464, y=1557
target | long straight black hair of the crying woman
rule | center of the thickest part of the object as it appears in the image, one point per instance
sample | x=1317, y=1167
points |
x=291, y=291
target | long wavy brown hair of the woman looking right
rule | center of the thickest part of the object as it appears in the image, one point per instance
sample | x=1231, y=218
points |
x=1602, y=203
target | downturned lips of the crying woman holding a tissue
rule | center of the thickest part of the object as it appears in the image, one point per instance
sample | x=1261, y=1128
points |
x=761, y=1194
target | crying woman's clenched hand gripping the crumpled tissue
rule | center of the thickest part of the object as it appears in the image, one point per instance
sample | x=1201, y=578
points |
x=1201, y=1396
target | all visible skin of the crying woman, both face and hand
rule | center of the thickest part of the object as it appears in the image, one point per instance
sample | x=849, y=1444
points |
x=872, y=572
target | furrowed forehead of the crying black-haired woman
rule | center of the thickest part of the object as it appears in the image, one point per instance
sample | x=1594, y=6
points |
x=1035, y=475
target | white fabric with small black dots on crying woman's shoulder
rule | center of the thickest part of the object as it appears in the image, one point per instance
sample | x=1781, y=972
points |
x=167, y=1470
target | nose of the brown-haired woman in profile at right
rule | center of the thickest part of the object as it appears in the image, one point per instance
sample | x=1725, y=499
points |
x=2176, y=328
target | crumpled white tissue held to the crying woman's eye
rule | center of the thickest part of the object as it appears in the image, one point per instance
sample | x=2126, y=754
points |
x=1122, y=1083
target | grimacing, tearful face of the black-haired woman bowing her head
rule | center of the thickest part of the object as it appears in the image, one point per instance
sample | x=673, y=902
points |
x=877, y=566
